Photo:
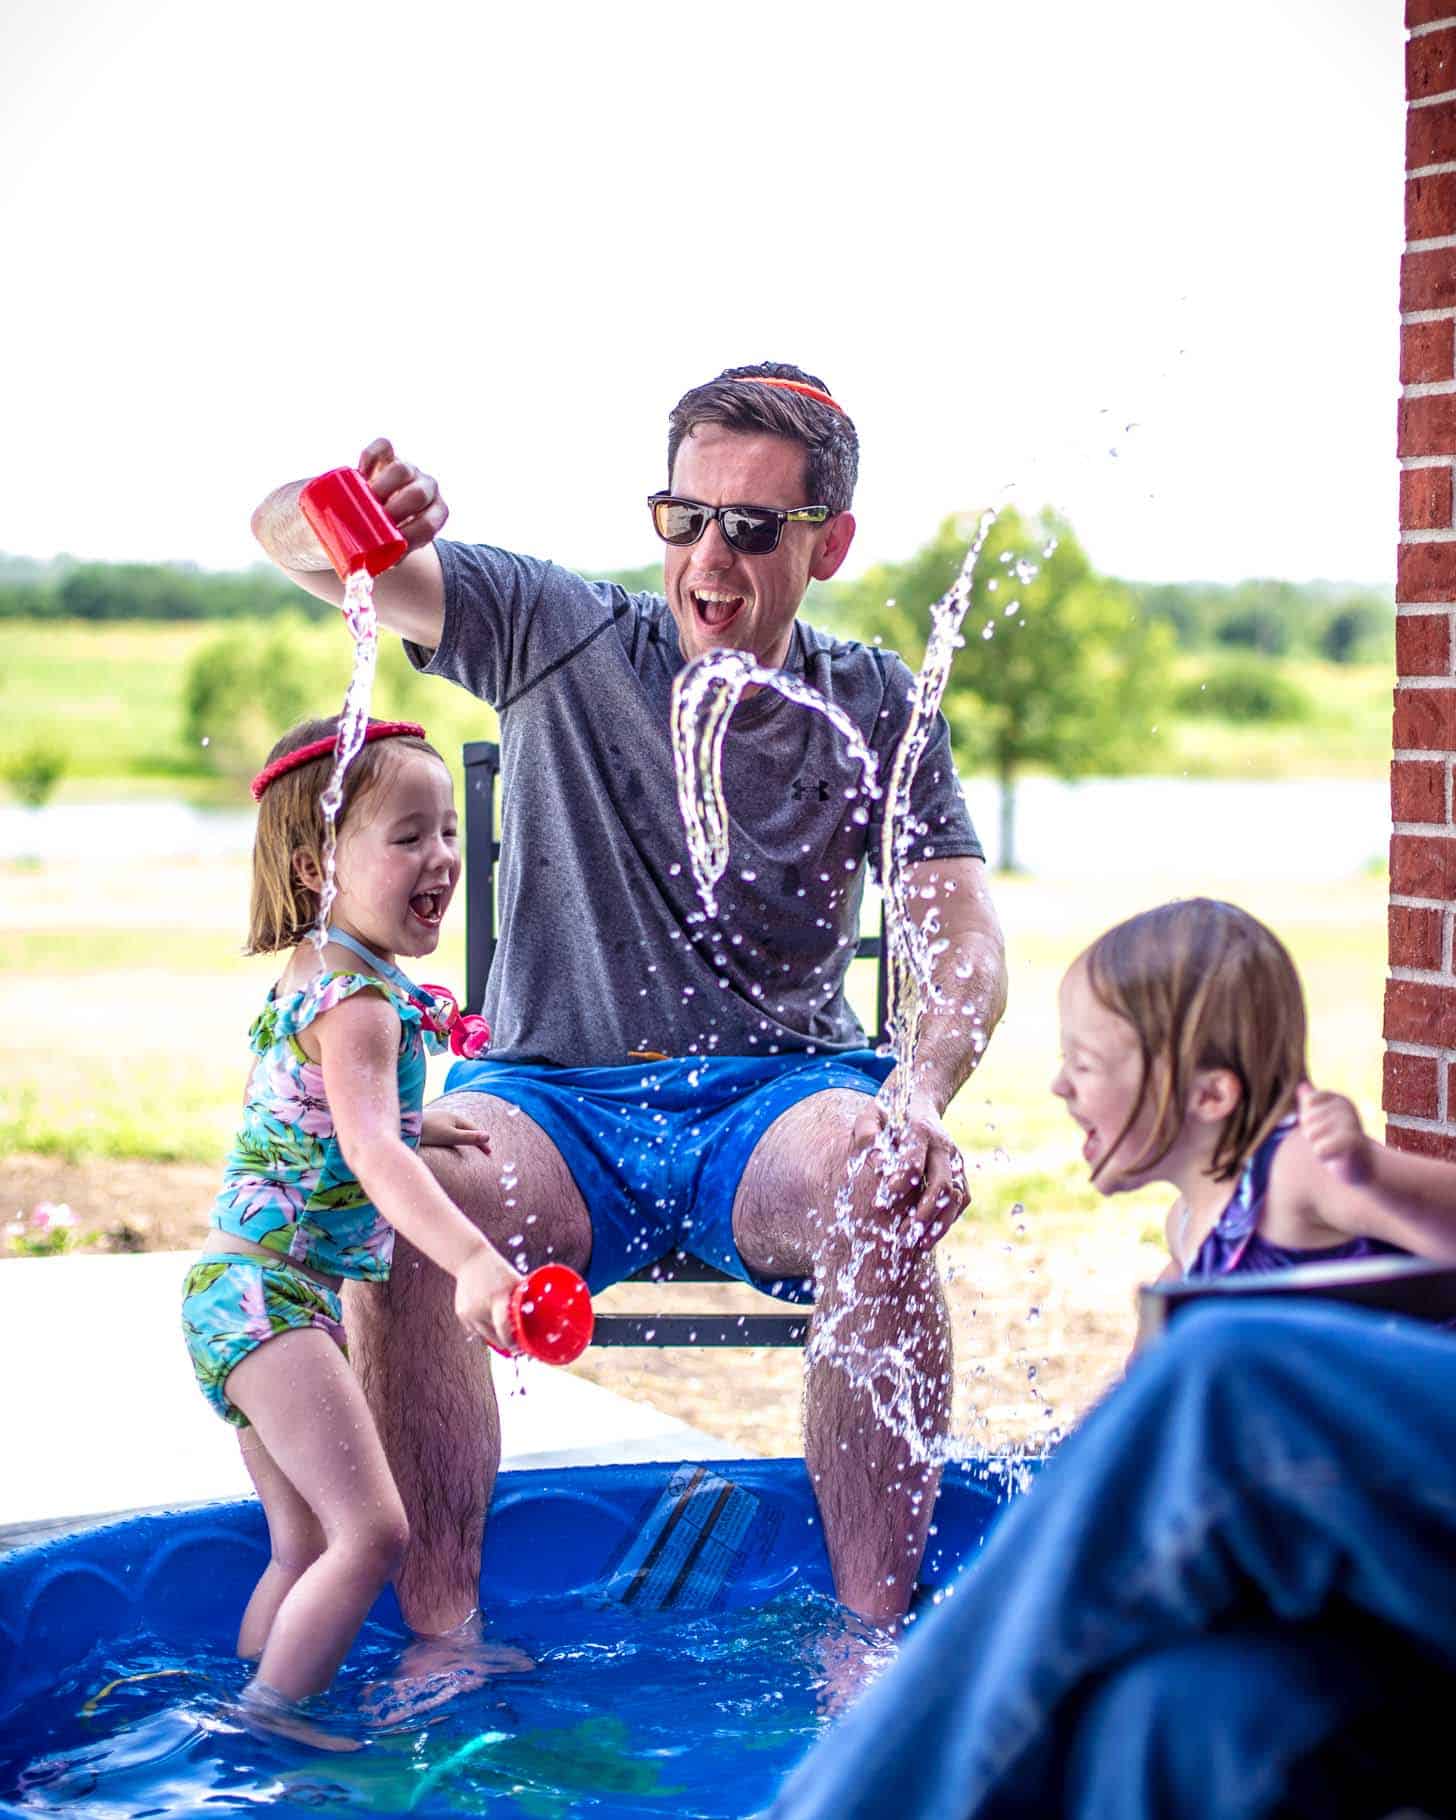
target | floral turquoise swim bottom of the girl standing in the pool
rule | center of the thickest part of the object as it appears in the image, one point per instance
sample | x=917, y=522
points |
x=230, y=1306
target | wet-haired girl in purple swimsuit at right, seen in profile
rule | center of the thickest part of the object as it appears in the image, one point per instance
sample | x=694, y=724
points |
x=1184, y=1062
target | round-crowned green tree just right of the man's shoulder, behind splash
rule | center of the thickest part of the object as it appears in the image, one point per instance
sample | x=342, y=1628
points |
x=1060, y=671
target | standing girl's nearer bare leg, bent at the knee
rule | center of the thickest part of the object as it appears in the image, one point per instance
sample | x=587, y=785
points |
x=312, y=1419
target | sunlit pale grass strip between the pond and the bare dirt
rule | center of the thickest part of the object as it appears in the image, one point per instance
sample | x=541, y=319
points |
x=128, y=1006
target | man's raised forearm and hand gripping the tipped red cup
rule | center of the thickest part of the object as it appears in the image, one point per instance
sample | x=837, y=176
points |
x=410, y=596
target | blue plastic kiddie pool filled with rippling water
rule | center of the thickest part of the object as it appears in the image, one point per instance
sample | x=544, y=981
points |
x=685, y=1641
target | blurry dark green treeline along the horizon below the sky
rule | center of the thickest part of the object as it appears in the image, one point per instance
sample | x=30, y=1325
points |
x=1342, y=623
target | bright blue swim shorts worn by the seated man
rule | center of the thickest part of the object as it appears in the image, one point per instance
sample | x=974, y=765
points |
x=658, y=1149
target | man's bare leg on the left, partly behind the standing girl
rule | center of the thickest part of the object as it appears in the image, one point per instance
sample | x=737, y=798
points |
x=429, y=1386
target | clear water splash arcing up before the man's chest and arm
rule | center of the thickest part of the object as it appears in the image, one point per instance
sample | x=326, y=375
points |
x=705, y=696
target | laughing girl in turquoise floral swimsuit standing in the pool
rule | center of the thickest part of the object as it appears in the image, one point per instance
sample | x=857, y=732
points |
x=323, y=1173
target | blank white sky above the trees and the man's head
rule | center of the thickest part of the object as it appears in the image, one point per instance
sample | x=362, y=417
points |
x=241, y=241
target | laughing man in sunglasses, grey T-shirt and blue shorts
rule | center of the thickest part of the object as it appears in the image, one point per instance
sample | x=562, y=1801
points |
x=660, y=1078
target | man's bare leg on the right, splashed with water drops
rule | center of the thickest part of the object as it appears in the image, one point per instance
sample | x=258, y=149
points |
x=882, y=1308
